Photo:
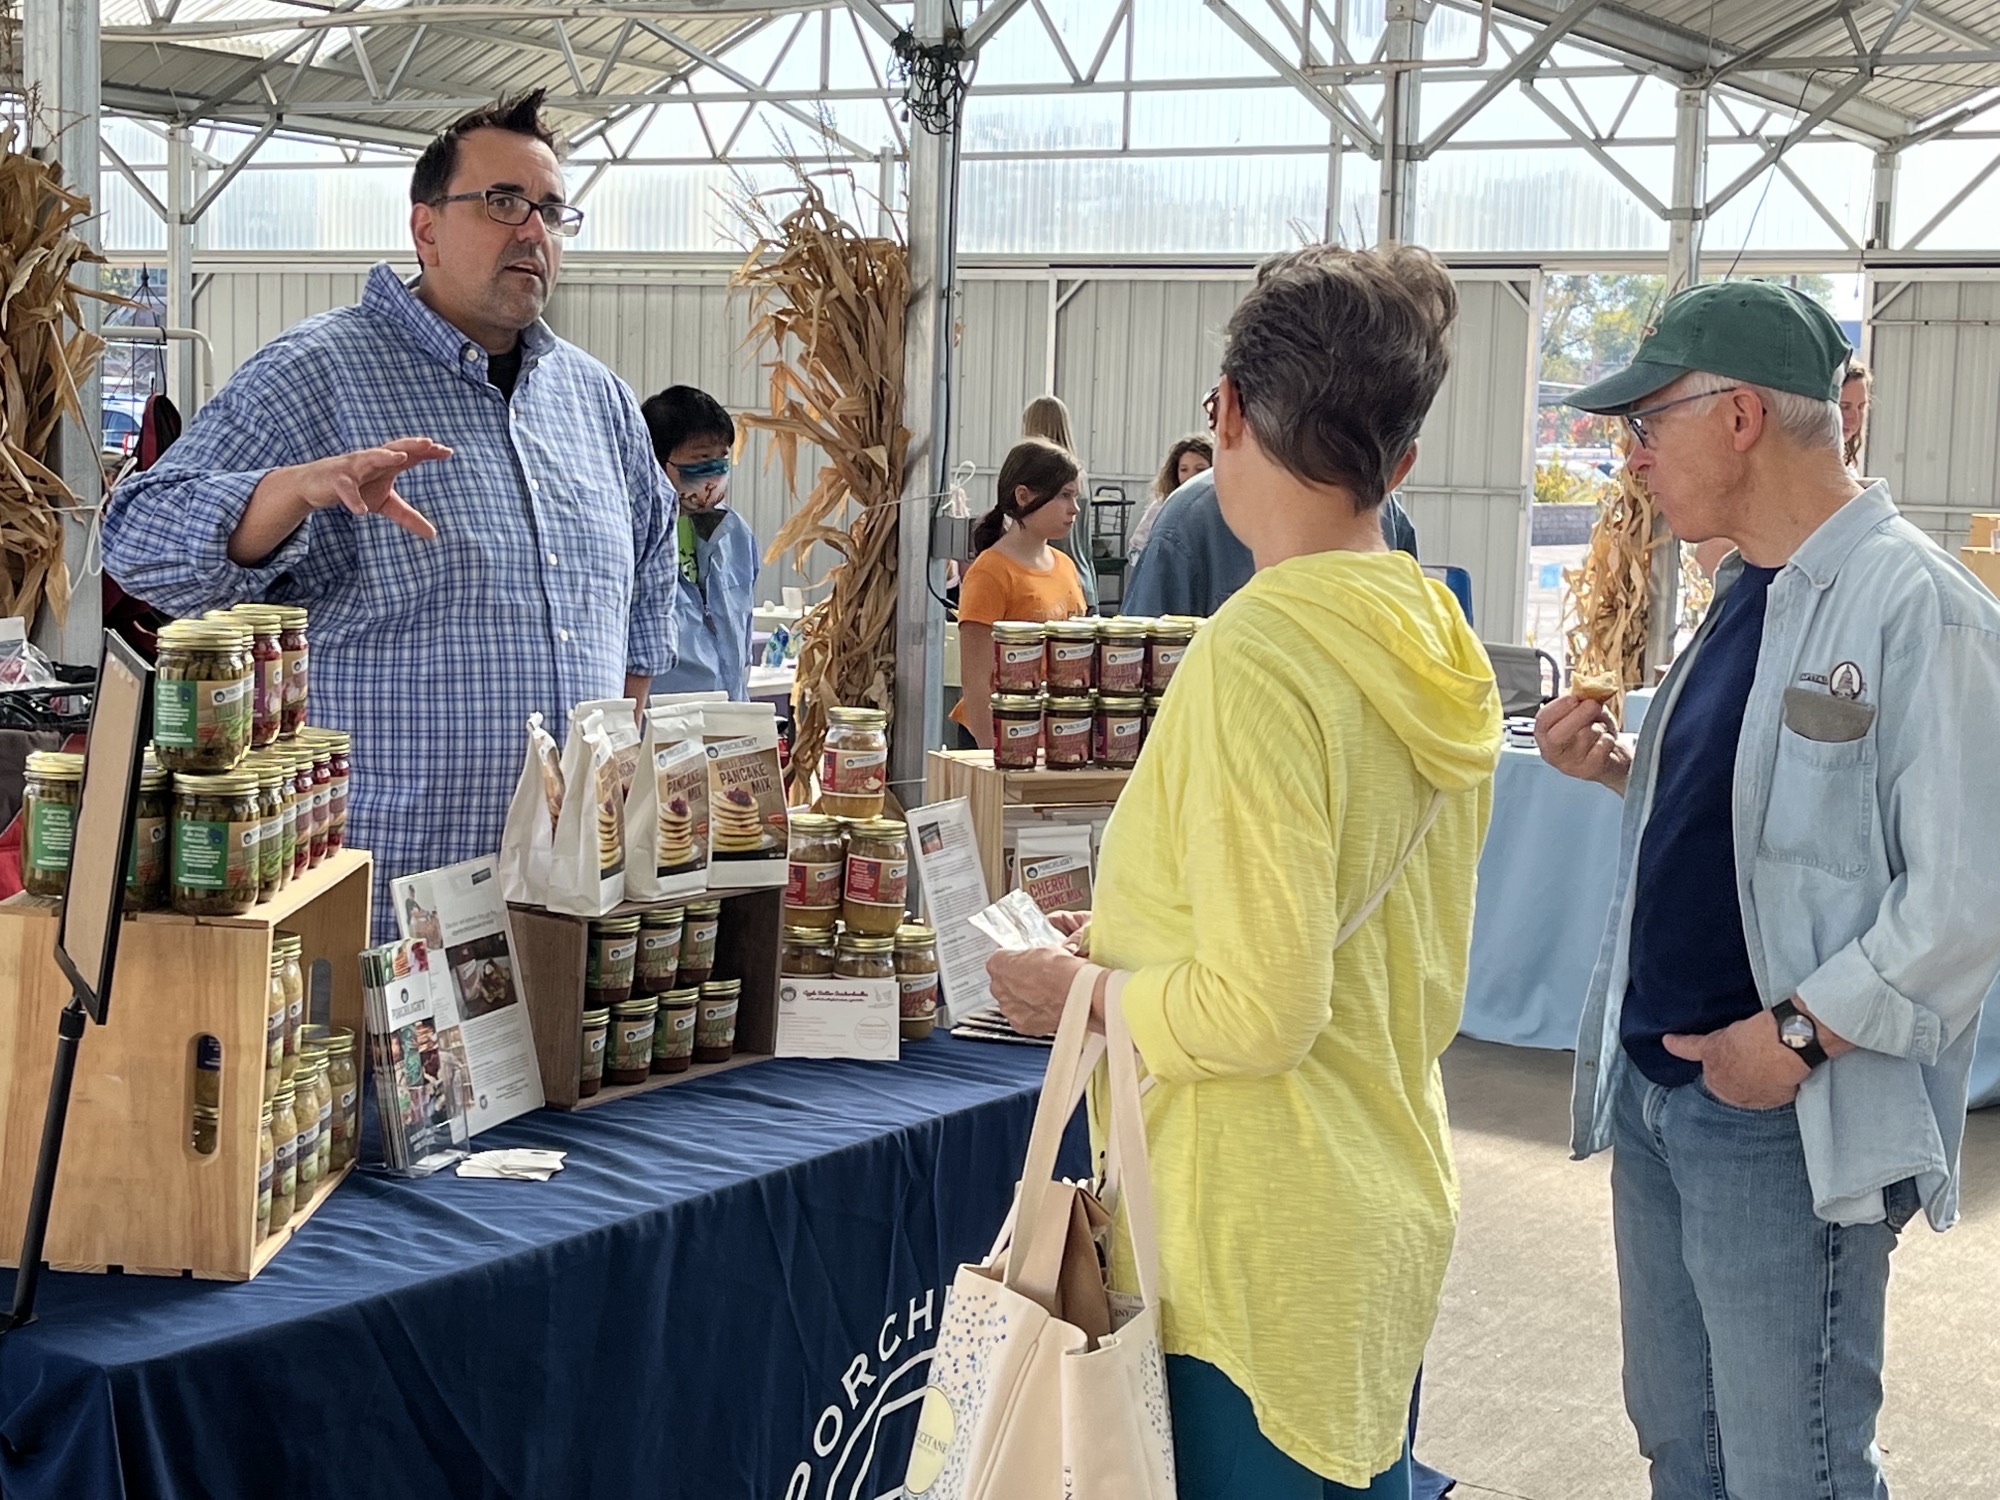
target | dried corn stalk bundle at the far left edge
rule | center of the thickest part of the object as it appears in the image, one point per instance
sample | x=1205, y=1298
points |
x=45, y=357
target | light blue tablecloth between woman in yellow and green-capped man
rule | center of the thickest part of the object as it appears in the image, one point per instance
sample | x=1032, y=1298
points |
x=1545, y=897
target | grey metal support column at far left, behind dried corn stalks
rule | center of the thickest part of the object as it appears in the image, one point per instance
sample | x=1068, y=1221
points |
x=61, y=73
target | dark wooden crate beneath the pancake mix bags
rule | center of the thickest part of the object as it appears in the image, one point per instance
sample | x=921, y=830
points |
x=551, y=951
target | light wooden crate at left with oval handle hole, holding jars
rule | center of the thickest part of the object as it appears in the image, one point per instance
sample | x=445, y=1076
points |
x=133, y=1193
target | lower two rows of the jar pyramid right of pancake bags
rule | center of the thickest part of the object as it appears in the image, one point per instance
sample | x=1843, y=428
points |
x=845, y=913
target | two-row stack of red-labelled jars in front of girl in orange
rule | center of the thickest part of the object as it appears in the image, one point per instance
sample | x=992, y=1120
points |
x=1073, y=695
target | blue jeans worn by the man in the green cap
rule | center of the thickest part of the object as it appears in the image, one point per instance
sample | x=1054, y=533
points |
x=1753, y=1331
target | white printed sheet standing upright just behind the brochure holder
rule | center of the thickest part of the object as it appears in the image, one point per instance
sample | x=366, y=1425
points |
x=461, y=915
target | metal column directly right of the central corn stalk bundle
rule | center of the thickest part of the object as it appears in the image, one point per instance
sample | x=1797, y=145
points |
x=927, y=373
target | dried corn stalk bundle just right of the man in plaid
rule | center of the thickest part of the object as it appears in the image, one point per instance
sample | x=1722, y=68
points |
x=831, y=305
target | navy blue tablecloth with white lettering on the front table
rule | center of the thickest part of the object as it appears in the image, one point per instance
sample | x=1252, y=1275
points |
x=729, y=1291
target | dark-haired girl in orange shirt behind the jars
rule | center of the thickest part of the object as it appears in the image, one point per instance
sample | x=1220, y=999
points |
x=1017, y=575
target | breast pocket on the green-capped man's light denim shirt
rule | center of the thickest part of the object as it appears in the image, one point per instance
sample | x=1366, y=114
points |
x=1823, y=785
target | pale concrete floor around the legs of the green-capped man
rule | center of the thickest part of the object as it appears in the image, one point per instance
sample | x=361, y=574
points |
x=1521, y=1383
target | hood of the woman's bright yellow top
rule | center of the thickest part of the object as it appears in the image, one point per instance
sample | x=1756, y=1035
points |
x=1407, y=645
